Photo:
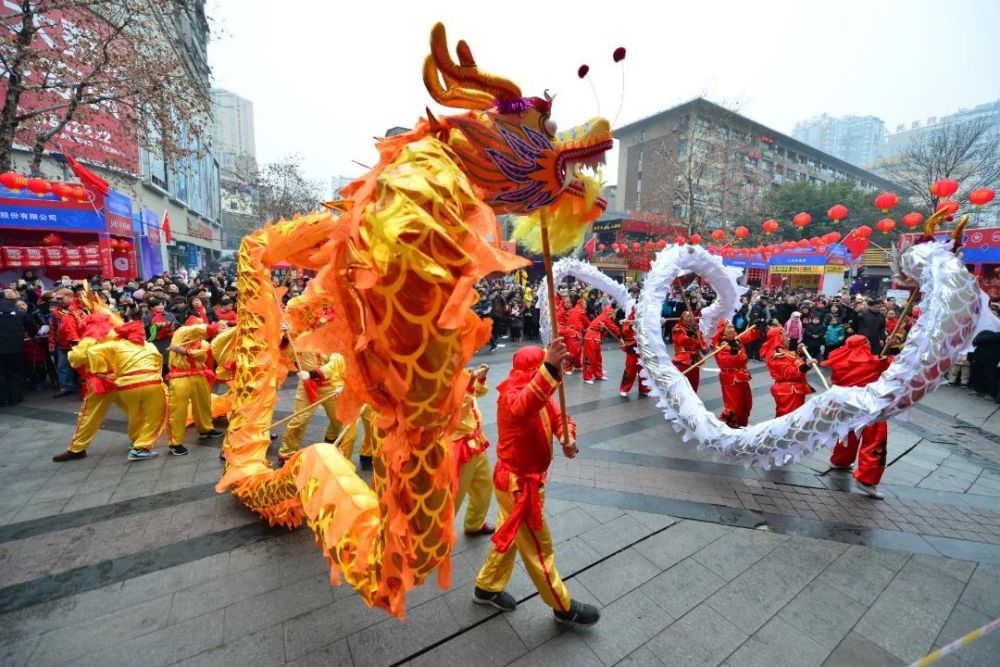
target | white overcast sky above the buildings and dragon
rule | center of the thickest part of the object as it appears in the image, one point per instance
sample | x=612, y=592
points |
x=325, y=77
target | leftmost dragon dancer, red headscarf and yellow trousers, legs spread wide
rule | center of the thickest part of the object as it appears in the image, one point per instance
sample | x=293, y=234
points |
x=98, y=390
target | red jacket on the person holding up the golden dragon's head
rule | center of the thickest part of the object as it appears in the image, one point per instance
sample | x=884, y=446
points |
x=527, y=420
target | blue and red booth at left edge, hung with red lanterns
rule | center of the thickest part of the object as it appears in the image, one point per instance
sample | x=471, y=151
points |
x=59, y=229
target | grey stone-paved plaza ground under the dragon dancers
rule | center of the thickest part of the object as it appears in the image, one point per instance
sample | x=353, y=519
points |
x=692, y=561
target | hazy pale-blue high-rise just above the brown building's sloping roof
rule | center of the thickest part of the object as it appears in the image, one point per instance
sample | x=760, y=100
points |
x=859, y=140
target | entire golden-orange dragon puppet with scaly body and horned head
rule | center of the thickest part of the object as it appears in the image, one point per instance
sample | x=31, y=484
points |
x=396, y=263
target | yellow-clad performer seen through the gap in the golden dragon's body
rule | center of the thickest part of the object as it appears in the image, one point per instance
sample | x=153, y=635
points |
x=320, y=376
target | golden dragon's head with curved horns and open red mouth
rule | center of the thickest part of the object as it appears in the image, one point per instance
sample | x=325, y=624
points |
x=508, y=144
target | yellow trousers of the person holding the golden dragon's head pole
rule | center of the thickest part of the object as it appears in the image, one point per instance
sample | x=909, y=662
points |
x=537, y=555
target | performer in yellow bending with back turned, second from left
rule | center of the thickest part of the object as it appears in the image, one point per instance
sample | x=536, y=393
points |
x=136, y=367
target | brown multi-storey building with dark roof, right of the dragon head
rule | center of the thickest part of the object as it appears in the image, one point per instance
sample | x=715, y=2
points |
x=701, y=165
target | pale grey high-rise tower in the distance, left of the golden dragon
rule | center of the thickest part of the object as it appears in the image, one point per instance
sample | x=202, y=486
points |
x=233, y=134
